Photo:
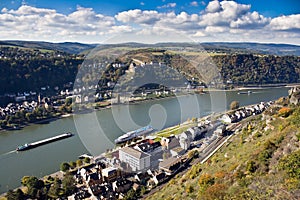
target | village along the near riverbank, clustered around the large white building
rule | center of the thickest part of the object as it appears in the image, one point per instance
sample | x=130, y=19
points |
x=139, y=167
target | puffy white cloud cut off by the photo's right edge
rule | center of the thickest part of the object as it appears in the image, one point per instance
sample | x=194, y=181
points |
x=289, y=22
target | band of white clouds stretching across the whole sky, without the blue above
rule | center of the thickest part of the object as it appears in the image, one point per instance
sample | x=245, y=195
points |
x=221, y=21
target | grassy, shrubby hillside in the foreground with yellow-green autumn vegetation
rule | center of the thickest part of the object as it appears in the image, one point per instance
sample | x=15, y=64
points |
x=261, y=161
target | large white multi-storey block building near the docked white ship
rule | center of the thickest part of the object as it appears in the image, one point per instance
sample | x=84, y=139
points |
x=137, y=160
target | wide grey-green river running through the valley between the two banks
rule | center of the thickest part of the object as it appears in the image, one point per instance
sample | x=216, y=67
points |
x=96, y=131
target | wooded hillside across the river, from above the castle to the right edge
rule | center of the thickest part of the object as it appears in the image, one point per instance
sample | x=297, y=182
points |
x=241, y=69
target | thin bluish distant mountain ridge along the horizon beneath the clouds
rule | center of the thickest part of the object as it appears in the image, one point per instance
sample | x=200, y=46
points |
x=225, y=47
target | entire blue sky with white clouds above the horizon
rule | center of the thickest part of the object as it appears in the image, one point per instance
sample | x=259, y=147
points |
x=150, y=21
